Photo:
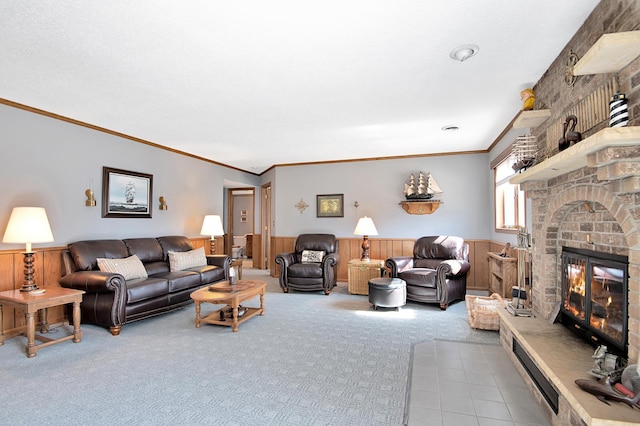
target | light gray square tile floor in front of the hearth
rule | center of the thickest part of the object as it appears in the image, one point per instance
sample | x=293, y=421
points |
x=459, y=384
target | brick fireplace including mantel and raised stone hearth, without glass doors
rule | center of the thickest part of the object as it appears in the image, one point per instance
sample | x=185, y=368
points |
x=586, y=197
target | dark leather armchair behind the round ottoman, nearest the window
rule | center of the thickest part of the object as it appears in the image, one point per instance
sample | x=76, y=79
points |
x=437, y=271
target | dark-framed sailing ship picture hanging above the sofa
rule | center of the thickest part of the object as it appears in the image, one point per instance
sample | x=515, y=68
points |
x=126, y=194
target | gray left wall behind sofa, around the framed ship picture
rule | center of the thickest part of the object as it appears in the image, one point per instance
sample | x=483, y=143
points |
x=49, y=163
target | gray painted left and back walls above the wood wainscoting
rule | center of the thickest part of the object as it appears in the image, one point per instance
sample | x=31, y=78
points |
x=49, y=163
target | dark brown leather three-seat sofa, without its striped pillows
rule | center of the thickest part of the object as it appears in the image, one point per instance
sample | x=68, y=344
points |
x=111, y=301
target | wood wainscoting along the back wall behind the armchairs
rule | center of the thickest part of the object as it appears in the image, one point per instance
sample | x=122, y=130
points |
x=351, y=248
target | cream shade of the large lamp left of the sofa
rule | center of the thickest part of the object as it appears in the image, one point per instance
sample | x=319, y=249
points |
x=28, y=225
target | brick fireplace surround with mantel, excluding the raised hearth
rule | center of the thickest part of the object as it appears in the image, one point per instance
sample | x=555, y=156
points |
x=596, y=207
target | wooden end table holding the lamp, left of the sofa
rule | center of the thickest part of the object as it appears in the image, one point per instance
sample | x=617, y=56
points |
x=30, y=304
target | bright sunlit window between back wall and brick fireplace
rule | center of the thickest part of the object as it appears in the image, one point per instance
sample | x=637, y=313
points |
x=509, y=199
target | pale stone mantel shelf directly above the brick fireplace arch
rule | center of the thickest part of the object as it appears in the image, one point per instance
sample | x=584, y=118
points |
x=575, y=157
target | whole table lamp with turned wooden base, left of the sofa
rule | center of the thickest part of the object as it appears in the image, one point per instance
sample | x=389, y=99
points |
x=28, y=225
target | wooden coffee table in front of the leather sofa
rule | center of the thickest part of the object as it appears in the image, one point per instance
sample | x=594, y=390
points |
x=231, y=296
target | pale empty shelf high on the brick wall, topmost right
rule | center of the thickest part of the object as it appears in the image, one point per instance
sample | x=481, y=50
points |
x=611, y=53
